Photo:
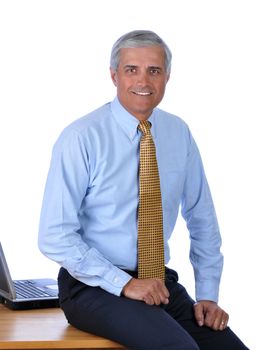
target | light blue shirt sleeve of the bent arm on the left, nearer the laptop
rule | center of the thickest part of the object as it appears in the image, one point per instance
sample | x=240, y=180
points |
x=60, y=232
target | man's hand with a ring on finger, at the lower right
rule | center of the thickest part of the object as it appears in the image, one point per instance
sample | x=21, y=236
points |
x=208, y=313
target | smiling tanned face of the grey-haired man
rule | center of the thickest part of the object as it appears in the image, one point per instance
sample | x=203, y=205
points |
x=140, y=79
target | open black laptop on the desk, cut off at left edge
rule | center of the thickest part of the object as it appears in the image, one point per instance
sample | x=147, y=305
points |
x=26, y=294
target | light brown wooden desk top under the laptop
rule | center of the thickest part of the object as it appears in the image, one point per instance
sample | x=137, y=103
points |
x=45, y=329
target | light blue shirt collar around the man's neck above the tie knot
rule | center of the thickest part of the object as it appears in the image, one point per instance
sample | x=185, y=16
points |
x=127, y=121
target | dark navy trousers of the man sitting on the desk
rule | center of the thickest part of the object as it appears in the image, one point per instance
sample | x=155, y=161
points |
x=137, y=325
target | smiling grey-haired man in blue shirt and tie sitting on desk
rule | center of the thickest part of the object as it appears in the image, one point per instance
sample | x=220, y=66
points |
x=92, y=215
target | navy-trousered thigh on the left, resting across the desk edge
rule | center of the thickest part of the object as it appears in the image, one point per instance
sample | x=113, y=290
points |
x=131, y=323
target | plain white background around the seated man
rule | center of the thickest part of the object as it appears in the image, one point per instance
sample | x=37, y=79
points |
x=224, y=84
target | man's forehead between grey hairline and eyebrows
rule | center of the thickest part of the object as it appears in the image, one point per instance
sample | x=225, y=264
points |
x=149, y=55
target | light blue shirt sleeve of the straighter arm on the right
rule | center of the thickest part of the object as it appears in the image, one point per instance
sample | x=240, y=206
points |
x=198, y=211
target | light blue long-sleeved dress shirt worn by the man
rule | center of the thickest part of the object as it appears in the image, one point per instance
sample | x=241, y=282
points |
x=89, y=213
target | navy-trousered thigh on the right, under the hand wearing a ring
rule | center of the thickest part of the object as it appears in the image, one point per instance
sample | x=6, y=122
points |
x=181, y=309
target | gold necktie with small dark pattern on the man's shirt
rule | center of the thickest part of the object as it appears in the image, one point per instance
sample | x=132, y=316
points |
x=151, y=262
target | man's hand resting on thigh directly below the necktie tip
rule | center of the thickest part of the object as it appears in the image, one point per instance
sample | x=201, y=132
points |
x=151, y=290
